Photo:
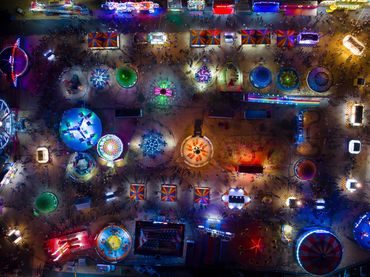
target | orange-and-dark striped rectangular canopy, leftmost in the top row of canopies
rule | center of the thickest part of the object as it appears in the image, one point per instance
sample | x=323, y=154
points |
x=103, y=40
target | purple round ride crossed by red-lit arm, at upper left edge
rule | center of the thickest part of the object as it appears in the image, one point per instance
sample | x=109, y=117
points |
x=13, y=62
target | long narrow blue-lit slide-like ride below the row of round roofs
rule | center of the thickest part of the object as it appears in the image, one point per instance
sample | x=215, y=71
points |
x=284, y=99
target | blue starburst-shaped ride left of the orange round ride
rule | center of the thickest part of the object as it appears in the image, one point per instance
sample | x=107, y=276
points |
x=152, y=144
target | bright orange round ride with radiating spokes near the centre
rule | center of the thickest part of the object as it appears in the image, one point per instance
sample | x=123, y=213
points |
x=197, y=151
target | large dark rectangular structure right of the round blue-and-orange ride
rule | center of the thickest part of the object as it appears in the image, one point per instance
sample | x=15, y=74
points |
x=159, y=238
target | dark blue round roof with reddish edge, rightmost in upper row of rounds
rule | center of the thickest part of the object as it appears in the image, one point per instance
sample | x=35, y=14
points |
x=319, y=79
